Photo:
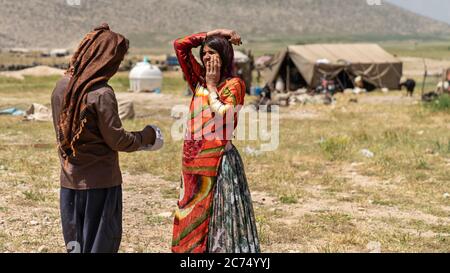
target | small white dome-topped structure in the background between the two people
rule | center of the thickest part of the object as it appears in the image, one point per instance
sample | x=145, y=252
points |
x=145, y=77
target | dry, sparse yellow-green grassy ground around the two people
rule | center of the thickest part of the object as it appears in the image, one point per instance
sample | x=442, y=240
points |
x=316, y=193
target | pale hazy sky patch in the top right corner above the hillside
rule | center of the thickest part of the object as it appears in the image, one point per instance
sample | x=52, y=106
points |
x=436, y=9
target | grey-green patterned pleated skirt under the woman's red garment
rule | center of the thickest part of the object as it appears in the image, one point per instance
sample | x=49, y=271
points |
x=232, y=227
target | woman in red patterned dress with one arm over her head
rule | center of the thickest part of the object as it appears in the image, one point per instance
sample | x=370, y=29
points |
x=215, y=212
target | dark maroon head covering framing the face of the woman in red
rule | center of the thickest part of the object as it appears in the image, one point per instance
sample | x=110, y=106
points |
x=226, y=53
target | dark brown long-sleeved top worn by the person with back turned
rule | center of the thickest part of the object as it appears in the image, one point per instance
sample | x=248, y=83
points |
x=96, y=164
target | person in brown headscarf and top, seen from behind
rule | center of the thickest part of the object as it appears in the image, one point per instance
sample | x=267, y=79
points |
x=90, y=135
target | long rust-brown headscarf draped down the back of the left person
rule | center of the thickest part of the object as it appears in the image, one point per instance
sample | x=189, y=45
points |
x=95, y=61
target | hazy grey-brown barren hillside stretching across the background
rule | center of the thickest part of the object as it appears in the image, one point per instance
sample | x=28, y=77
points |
x=54, y=23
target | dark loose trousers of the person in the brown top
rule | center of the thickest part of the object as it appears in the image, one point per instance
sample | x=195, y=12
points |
x=92, y=219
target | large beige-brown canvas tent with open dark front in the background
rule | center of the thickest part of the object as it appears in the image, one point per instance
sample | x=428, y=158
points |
x=306, y=65
